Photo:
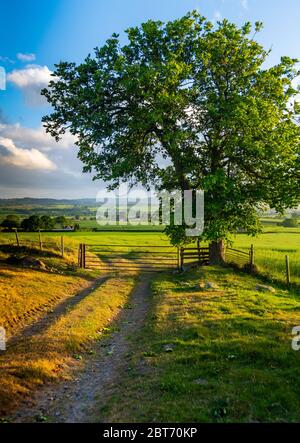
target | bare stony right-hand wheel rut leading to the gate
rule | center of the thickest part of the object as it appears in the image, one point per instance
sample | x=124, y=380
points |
x=79, y=400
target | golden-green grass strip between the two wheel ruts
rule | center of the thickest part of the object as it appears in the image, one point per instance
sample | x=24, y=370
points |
x=62, y=346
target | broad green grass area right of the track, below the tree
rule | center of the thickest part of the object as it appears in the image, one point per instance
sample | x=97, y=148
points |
x=221, y=355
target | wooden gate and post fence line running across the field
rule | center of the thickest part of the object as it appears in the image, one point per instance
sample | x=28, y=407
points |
x=107, y=256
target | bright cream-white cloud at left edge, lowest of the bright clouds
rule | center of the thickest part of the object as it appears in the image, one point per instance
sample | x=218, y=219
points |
x=32, y=159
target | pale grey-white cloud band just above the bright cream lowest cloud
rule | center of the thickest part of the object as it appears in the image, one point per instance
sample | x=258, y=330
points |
x=35, y=138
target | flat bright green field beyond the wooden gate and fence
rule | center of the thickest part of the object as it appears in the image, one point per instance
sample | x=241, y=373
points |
x=270, y=247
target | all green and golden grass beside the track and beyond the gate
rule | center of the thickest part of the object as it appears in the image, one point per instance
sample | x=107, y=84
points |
x=231, y=356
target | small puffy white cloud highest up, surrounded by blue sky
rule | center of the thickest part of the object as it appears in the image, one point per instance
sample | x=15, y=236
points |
x=31, y=80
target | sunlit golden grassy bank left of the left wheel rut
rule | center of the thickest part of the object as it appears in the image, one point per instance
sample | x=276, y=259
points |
x=27, y=294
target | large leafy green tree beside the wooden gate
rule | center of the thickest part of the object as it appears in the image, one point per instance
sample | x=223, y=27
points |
x=187, y=105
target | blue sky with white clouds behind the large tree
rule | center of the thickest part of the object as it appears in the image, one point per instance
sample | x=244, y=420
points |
x=34, y=35
